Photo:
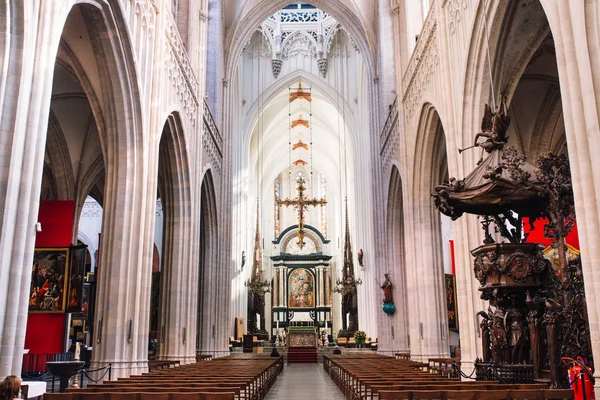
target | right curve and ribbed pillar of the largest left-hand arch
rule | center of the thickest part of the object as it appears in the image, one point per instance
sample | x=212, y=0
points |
x=125, y=186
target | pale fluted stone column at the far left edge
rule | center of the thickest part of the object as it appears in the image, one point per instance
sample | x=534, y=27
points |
x=29, y=48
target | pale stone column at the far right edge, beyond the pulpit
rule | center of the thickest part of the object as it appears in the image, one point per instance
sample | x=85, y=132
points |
x=575, y=34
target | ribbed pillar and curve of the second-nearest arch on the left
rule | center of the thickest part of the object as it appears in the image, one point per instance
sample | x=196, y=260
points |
x=176, y=307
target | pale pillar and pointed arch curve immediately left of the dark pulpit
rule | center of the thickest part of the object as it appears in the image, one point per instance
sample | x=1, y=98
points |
x=431, y=168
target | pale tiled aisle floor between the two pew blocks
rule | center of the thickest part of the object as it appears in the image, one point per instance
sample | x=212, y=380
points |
x=302, y=382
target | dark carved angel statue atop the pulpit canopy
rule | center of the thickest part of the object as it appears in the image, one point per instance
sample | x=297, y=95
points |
x=494, y=126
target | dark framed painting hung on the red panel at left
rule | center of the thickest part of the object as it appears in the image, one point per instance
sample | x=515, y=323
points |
x=47, y=291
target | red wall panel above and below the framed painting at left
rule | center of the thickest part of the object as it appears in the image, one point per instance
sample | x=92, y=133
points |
x=45, y=331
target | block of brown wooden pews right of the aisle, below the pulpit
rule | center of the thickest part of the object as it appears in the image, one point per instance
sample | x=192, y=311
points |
x=364, y=376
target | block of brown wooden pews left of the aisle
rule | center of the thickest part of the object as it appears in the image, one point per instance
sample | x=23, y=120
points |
x=227, y=378
